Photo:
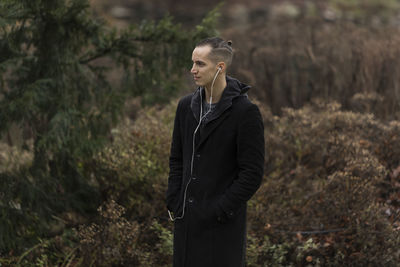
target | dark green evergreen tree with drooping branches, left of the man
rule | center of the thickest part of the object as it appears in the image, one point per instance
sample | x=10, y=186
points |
x=55, y=83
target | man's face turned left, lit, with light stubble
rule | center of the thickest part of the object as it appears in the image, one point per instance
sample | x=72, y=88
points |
x=203, y=68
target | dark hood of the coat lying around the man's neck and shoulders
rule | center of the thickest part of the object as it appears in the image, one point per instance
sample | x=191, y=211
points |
x=234, y=88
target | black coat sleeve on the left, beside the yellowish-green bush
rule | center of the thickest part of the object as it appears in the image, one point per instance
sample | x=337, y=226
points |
x=175, y=164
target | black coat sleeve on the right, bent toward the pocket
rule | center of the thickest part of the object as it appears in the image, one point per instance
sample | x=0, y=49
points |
x=250, y=158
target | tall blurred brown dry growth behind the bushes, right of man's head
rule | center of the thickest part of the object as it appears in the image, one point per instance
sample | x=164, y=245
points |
x=293, y=61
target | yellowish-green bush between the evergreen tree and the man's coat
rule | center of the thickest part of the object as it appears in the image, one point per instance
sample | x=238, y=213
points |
x=132, y=169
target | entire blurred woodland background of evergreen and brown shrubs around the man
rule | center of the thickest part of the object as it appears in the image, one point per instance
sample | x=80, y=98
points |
x=87, y=101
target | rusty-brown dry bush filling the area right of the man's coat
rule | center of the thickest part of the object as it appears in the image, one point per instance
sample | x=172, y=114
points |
x=324, y=179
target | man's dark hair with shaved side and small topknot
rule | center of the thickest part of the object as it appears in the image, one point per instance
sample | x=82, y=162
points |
x=220, y=50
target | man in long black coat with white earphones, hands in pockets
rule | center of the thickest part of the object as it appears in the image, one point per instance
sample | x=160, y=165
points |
x=216, y=163
